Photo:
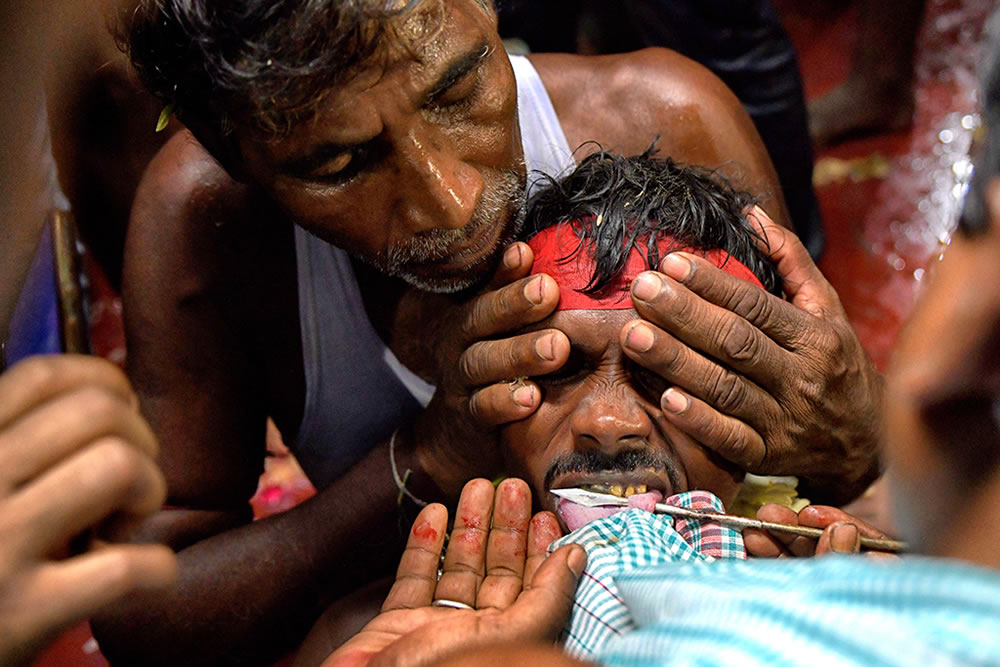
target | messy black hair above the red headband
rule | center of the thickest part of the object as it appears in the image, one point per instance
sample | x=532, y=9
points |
x=620, y=203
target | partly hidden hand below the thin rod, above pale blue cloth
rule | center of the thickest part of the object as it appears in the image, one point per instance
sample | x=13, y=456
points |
x=842, y=533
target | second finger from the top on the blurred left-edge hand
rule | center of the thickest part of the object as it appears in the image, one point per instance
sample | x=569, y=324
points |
x=61, y=426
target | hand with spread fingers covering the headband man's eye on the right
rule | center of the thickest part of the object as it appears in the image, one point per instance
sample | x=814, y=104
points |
x=777, y=387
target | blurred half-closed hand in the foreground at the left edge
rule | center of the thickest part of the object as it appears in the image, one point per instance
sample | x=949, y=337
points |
x=76, y=469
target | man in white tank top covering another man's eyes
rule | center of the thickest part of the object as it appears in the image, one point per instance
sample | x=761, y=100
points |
x=393, y=135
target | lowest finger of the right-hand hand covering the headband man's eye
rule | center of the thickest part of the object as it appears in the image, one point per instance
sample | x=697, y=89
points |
x=729, y=437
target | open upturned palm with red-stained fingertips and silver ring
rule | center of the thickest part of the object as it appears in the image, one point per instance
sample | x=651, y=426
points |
x=495, y=564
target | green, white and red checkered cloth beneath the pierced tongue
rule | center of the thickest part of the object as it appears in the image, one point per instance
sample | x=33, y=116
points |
x=628, y=541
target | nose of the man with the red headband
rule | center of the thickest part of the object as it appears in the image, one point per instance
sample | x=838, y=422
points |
x=610, y=419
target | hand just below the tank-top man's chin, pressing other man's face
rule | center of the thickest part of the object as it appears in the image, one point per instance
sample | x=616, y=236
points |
x=477, y=391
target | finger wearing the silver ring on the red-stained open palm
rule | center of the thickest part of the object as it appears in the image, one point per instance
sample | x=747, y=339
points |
x=465, y=560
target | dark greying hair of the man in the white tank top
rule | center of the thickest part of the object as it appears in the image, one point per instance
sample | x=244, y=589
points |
x=267, y=61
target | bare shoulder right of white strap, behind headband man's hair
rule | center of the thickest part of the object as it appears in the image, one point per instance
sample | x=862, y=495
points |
x=625, y=101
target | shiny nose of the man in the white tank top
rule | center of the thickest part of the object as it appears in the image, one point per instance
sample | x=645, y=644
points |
x=440, y=190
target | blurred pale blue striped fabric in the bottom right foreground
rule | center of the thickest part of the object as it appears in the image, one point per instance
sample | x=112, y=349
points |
x=832, y=610
